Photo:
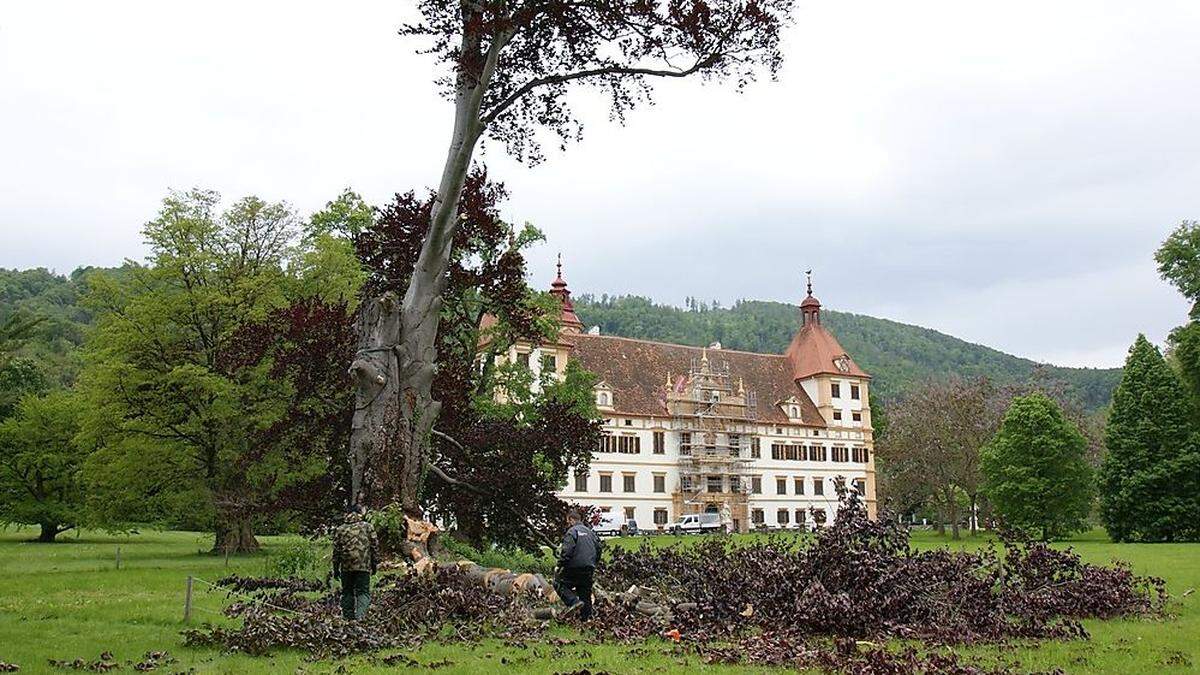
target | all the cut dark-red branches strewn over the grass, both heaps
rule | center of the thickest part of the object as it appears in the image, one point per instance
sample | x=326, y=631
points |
x=829, y=602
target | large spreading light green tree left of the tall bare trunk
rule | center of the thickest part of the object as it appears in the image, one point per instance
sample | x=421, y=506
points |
x=183, y=403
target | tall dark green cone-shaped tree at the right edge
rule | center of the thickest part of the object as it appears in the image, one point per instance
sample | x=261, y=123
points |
x=1150, y=479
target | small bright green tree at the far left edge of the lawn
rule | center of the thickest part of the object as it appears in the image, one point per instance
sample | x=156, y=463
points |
x=40, y=465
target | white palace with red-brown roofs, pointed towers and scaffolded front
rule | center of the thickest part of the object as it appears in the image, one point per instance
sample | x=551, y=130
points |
x=759, y=439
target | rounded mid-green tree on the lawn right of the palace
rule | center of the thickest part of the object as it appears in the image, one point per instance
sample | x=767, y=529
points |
x=1036, y=471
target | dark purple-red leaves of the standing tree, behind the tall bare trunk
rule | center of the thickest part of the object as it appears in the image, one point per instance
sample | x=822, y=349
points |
x=488, y=276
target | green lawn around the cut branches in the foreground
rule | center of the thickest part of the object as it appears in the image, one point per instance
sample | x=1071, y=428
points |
x=69, y=601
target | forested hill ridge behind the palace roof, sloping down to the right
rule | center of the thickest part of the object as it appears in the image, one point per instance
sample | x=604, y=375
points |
x=897, y=355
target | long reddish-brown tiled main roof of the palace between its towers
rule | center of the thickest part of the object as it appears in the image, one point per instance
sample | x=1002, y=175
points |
x=637, y=371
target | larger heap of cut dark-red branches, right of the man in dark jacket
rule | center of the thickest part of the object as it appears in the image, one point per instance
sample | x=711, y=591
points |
x=860, y=578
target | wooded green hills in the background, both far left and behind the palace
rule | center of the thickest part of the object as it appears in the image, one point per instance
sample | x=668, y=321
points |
x=896, y=354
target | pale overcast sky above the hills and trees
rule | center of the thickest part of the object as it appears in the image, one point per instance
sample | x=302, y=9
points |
x=1001, y=172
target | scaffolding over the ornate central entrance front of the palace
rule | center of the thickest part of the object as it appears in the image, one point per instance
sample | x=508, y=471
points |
x=715, y=419
